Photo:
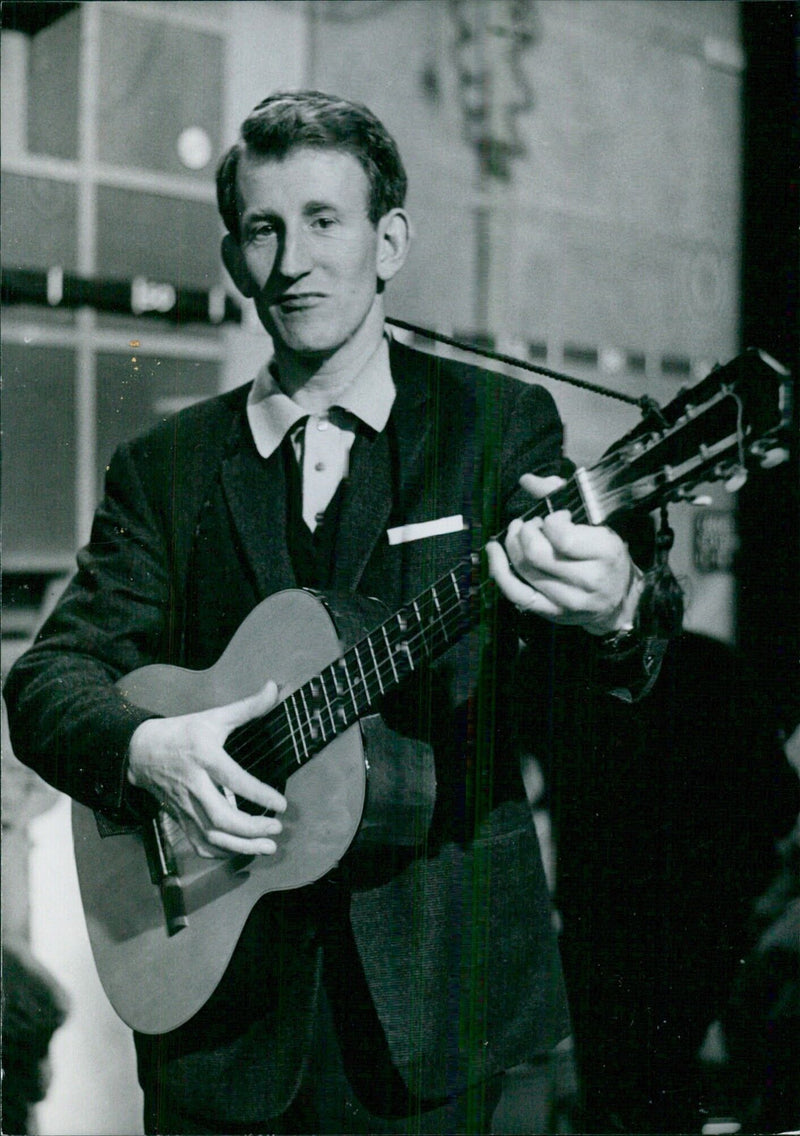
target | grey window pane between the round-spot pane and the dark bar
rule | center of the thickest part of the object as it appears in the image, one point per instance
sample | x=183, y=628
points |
x=164, y=239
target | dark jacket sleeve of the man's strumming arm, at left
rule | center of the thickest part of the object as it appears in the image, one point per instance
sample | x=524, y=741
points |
x=66, y=719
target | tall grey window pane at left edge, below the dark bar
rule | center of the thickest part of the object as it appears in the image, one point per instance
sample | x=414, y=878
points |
x=39, y=453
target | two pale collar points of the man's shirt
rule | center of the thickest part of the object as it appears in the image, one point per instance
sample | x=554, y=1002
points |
x=272, y=414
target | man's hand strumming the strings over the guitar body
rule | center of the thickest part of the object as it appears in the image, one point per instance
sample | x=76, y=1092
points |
x=184, y=764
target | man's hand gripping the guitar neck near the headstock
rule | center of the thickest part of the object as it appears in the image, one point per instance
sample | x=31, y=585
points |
x=580, y=575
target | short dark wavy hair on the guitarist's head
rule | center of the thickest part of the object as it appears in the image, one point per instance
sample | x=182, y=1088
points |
x=289, y=120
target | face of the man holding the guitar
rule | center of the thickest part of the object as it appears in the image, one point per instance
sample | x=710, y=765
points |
x=310, y=254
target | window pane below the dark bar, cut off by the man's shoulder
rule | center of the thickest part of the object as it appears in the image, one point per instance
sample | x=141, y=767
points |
x=136, y=391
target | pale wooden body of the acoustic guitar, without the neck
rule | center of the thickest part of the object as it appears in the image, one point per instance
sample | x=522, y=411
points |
x=156, y=981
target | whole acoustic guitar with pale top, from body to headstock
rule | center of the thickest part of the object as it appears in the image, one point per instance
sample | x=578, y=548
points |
x=164, y=922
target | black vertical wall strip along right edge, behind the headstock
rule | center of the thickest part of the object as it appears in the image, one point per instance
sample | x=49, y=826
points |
x=769, y=614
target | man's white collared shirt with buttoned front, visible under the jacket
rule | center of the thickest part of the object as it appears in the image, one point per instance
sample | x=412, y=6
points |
x=322, y=442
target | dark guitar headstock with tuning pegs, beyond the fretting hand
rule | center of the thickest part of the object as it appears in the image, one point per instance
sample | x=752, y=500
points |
x=736, y=419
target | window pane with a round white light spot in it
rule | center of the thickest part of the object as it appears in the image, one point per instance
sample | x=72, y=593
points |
x=157, y=81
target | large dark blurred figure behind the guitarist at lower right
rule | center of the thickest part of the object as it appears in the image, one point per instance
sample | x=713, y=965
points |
x=668, y=832
